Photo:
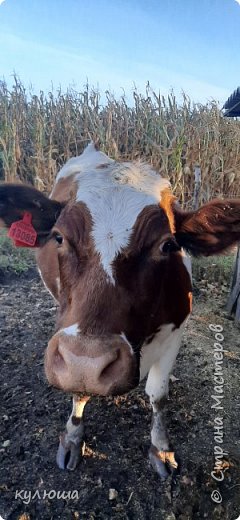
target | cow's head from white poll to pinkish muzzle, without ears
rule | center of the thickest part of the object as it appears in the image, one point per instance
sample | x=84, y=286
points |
x=111, y=244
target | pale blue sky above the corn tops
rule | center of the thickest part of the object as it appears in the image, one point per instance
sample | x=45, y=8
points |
x=190, y=45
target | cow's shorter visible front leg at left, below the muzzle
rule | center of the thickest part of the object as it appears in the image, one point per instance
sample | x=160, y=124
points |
x=69, y=450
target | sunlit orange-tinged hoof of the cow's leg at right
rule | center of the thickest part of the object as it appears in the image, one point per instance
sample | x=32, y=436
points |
x=163, y=462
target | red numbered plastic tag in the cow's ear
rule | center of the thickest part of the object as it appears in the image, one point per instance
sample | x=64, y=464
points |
x=22, y=232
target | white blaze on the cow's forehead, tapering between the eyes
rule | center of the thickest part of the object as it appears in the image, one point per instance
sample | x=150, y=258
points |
x=115, y=196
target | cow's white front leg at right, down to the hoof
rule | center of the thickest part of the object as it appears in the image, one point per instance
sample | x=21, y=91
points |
x=161, y=457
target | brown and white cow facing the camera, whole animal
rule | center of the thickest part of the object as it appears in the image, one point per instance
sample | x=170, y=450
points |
x=111, y=249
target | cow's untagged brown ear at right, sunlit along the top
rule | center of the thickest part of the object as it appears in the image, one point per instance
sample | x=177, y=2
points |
x=211, y=229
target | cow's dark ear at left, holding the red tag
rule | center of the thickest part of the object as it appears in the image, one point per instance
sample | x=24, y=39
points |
x=17, y=199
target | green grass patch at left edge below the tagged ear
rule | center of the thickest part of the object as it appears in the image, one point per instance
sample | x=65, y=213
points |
x=14, y=259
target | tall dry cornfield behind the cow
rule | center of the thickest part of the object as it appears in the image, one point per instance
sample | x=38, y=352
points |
x=39, y=133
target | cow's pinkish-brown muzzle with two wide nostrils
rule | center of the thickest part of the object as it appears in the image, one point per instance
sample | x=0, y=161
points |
x=102, y=366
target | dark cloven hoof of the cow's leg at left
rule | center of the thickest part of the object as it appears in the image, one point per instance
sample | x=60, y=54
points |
x=69, y=453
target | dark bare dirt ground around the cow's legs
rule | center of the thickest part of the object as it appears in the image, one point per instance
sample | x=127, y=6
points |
x=116, y=430
